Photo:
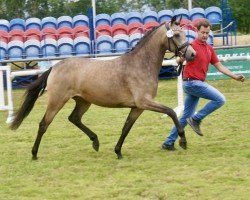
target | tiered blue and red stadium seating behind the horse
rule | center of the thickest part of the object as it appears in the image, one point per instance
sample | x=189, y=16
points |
x=67, y=35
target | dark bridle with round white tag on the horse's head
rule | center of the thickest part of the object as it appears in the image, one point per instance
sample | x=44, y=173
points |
x=170, y=34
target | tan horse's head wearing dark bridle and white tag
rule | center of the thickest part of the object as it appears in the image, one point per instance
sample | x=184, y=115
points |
x=177, y=40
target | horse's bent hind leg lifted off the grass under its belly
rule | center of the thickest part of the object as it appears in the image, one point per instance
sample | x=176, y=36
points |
x=75, y=117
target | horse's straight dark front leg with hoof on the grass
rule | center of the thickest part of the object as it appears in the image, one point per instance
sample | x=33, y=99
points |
x=132, y=117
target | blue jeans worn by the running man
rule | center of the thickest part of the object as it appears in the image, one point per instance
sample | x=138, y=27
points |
x=194, y=91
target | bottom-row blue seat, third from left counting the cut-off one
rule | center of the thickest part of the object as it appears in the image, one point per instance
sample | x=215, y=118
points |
x=32, y=48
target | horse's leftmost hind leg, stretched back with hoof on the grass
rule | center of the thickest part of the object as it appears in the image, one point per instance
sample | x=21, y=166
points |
x=50, y=113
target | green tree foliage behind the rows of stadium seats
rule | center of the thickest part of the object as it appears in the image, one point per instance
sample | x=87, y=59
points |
x=10, y=9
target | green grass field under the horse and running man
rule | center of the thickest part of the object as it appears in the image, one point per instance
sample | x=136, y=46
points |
x=216, y=166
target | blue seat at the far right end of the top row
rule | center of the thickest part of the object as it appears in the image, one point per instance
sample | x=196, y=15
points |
x=214, y=15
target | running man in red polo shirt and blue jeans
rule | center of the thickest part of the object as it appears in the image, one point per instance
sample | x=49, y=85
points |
x=194, y=75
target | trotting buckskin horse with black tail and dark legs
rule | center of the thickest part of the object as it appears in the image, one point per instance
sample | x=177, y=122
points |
x=130, y=81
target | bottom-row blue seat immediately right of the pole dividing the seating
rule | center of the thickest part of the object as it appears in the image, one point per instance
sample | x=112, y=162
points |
x=104, y=44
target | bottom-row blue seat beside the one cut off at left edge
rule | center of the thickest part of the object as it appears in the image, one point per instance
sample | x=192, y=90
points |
x=15, y=49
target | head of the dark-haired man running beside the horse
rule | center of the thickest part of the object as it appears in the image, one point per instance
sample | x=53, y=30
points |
x=203, y=27
